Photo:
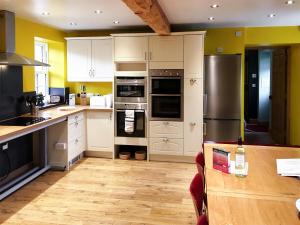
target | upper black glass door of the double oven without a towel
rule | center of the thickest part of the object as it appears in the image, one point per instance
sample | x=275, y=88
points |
x=163, y=85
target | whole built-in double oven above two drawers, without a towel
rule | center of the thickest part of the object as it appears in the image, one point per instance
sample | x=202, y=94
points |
x=166, y=94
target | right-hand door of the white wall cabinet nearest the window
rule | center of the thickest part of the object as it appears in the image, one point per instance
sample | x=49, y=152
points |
x=102, y=65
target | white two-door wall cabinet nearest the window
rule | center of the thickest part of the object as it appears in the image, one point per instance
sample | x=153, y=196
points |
x=90, y=60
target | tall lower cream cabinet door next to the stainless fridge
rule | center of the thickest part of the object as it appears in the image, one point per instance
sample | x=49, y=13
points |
x=193, y=116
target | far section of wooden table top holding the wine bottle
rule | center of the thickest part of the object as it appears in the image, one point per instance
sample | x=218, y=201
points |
x=262, y=176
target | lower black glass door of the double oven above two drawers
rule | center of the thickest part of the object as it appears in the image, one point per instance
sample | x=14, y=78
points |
x=166, y=107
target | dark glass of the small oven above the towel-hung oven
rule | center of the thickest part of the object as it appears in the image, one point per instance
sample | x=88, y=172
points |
x=130, y=91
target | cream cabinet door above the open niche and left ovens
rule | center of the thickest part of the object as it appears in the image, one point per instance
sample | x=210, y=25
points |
x=131, y=49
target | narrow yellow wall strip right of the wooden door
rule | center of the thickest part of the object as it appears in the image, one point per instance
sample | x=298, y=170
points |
x=294, y=95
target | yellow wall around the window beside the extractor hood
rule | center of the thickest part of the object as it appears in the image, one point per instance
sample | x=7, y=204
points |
x=26, y=32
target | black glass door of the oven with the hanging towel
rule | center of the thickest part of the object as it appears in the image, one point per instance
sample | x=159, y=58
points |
x=139, y=124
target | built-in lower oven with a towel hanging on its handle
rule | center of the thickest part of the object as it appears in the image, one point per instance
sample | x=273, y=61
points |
x=140, y=120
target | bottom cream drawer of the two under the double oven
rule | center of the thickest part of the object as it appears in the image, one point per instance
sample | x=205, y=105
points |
x=166, y=146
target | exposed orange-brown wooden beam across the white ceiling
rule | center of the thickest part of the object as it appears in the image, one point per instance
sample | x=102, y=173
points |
x=150, y=12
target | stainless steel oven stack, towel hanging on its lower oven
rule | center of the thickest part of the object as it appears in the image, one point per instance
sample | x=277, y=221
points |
x=131, y=95
